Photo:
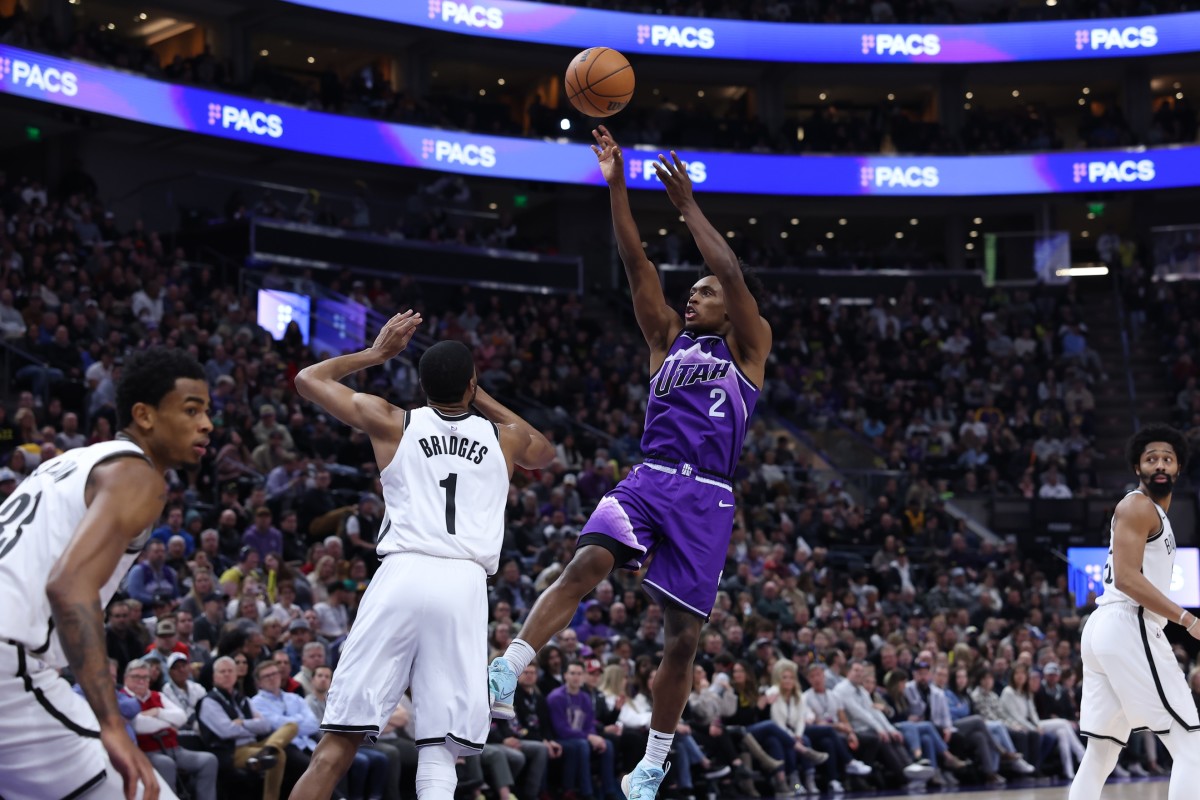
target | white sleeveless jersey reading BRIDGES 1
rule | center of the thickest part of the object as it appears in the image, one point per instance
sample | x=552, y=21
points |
x=446, y=490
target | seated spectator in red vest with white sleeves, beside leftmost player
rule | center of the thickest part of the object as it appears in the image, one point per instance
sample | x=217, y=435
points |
x=157, y=729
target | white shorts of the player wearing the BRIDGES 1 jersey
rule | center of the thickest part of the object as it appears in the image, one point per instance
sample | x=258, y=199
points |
x=422, y=625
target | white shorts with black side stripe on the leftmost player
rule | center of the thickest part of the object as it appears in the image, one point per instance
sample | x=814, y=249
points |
x=50, y=738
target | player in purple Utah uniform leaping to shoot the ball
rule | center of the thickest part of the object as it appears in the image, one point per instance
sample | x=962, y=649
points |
x=707, y=370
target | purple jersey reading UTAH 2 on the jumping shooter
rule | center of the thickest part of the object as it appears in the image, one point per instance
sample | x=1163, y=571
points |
x=700, y=405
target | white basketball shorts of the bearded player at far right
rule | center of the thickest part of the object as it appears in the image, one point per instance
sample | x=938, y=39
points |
x=1132, y=681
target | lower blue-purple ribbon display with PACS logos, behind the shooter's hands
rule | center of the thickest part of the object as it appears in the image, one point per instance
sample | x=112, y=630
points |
x=184, y=109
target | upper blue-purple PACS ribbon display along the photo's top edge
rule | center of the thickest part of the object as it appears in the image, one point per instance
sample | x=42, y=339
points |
x=795, y=43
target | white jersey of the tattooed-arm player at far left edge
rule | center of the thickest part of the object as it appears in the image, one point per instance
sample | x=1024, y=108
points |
x=38, y=524
